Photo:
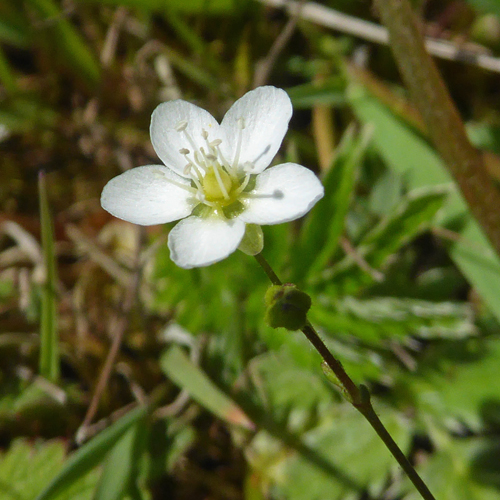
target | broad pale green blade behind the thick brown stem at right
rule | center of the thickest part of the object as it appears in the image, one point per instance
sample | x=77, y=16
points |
x=406, y=152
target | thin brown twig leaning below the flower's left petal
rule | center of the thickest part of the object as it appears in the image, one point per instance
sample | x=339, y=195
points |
x=118, y=332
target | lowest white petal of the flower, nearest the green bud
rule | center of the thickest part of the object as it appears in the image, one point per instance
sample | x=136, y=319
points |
x=198, y=242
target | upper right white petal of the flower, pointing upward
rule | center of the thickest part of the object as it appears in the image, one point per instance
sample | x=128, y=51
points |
x=266, y=112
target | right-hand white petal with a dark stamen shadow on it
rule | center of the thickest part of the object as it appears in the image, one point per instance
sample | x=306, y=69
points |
x=282, y=193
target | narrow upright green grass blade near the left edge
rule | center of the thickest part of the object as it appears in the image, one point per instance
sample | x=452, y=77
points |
x=49, y=338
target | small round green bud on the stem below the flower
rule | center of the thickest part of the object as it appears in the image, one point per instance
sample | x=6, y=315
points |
x=287, y=307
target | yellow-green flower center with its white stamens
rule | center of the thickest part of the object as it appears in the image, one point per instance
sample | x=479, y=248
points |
x=216, y=182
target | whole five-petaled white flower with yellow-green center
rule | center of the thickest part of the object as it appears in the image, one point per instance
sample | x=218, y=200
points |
x=215, y=178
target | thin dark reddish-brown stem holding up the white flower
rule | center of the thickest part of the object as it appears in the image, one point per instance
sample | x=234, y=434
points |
x=359, y=397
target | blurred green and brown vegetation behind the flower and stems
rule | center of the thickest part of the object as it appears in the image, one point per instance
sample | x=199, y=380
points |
x=204, y=400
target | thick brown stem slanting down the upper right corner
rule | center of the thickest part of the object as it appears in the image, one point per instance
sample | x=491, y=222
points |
x=440, y=115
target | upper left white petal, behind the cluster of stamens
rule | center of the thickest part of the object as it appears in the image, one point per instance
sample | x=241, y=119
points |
x=167, y=140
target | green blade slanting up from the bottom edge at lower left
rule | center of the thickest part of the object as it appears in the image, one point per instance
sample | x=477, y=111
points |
x=91, y=454
